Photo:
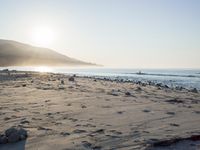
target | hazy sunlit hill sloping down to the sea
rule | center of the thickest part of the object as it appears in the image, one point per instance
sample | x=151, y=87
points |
x=14, y=53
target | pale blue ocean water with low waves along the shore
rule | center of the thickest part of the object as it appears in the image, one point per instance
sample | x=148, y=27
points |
x=187, y=78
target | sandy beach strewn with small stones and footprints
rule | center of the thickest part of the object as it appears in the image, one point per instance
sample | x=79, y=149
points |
x=95, y=114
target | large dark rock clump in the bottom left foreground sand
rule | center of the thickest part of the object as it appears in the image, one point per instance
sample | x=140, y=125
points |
x=13, y=135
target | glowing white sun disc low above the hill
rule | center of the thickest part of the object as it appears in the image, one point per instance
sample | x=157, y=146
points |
x=42, y=36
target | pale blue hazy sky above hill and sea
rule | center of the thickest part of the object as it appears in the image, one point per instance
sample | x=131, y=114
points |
x=114, y=33
